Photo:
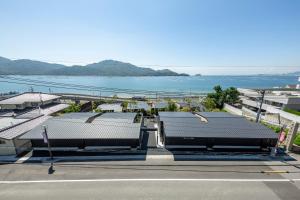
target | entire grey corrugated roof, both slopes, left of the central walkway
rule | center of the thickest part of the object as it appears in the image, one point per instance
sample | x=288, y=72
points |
x=75, y=126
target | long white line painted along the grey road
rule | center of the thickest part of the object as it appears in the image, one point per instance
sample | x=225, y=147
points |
x=150, y=180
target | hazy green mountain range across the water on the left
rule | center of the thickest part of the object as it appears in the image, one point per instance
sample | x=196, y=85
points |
x=103, y=68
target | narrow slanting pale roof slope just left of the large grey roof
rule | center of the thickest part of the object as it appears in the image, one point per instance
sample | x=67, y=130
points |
x=18, y=130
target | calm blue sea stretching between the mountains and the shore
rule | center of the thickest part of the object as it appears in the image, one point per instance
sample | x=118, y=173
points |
x=171, y=84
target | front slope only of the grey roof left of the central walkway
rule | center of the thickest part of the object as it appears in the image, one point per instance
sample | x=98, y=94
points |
x=60, y=129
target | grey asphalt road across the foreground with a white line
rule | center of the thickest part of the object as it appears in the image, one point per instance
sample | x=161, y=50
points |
x=150, y=180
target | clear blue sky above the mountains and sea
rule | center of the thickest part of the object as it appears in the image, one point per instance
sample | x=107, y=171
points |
x=193, y=36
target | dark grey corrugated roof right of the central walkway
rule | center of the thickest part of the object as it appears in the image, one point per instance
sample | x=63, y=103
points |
x=189, y=125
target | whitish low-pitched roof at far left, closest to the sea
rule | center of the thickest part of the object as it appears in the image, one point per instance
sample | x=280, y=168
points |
x=29, y=97
